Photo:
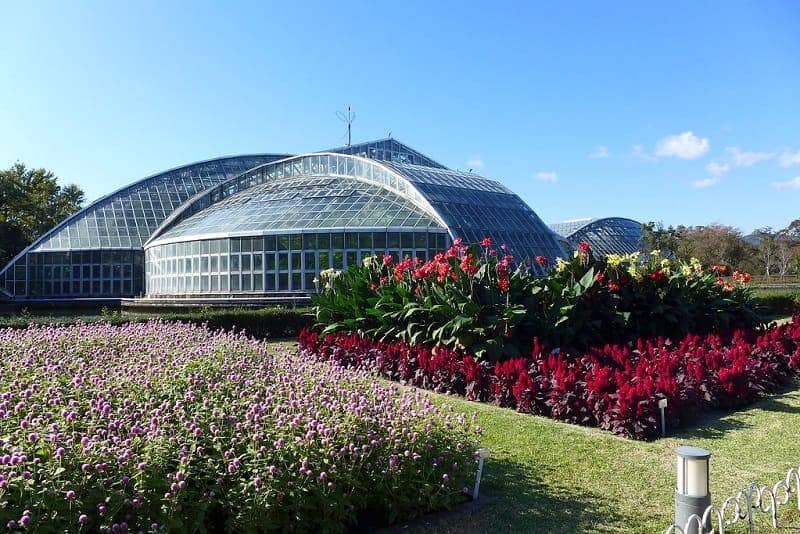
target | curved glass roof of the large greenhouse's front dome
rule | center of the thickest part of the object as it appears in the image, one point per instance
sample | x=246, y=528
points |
x=468, y=205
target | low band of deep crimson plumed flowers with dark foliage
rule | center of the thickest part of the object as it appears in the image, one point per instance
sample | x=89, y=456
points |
x=615, y=387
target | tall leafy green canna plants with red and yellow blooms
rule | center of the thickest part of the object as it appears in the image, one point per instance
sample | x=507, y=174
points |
x=489, y=304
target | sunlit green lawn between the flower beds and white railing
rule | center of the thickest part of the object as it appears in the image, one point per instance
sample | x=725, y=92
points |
x=545, y=476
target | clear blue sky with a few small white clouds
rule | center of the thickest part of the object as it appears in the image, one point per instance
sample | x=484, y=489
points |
x=685, y=112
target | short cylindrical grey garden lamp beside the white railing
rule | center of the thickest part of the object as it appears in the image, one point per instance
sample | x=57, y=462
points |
x=692, y=495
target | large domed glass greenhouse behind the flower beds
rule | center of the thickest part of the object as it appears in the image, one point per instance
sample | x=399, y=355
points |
x=268, y=224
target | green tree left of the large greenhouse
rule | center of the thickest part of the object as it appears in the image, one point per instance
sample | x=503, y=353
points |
x=31, y=202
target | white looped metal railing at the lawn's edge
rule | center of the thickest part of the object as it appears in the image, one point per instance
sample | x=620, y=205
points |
x=746, y=506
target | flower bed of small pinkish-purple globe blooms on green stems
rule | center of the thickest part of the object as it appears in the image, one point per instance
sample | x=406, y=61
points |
x=171, y=427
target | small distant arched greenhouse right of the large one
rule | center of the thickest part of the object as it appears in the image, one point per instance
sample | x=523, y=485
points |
x=610, y=235
